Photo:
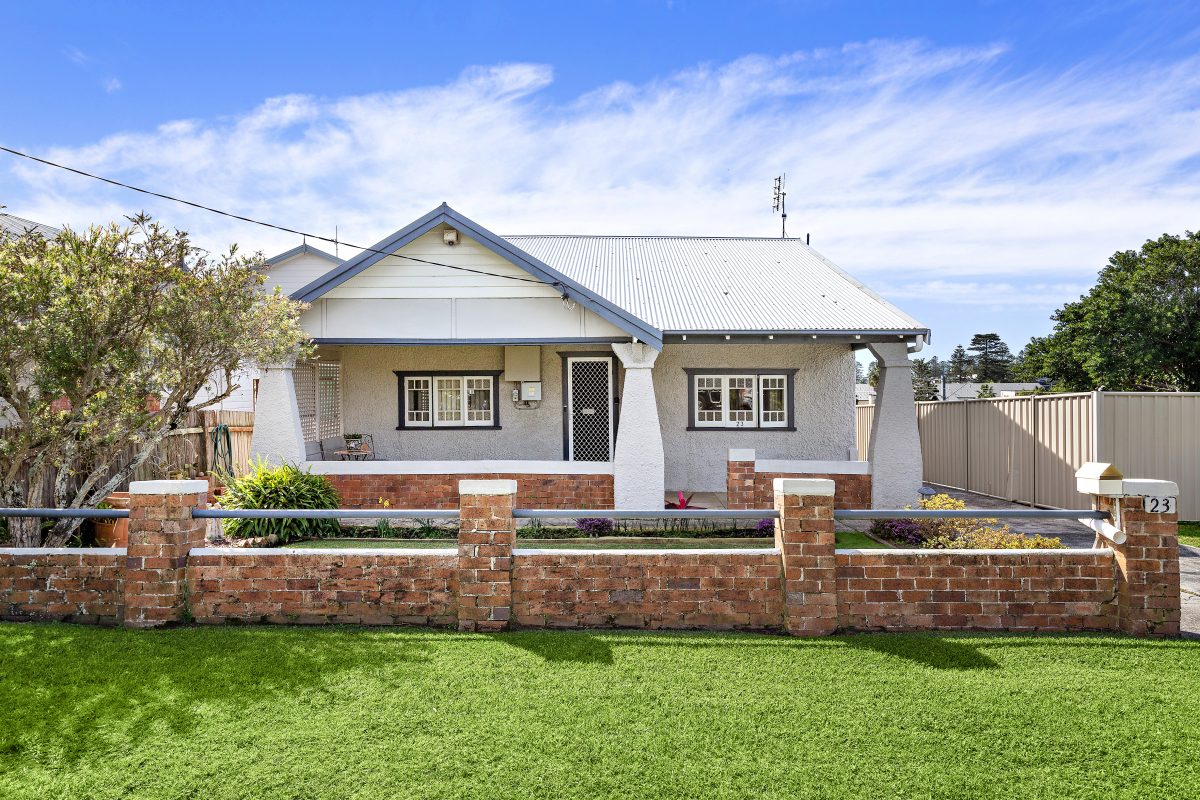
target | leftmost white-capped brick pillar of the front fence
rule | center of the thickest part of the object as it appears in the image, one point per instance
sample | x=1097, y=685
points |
x=163, y=533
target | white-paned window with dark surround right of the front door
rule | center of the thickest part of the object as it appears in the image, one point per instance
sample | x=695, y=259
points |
x=758, y=400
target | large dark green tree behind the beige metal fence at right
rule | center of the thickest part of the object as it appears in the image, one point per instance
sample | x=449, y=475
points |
x=1138, y=329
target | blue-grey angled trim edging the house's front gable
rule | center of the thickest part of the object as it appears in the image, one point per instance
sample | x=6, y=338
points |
x=605, y=310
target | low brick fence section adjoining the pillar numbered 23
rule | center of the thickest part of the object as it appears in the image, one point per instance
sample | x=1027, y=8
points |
x=1019, y=592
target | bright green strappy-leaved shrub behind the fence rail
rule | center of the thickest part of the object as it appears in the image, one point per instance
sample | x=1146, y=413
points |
x=280, y=488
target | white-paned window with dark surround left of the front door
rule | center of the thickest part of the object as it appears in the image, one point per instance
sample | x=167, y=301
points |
x=446, y=401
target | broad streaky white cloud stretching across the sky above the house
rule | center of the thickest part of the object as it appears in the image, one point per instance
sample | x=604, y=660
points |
x=903, y=160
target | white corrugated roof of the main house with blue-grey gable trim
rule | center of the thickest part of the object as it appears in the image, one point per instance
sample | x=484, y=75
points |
x=657, y=286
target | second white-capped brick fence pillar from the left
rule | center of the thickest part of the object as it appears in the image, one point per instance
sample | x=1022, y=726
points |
x=487, y=537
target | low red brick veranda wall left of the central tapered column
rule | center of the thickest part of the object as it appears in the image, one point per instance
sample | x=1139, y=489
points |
x=442, y=491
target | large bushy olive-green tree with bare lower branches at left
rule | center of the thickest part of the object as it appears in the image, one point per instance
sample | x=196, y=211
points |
x=94, y=327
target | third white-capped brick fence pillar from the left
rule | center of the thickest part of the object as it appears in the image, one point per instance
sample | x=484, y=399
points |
x=806, y=540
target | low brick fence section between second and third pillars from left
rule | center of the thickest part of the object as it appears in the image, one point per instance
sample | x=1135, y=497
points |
x=652, y=591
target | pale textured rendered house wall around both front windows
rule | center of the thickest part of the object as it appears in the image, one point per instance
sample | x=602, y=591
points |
x=695, y=460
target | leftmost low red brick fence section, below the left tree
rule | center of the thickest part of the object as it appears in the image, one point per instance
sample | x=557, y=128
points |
x=68, y=587
